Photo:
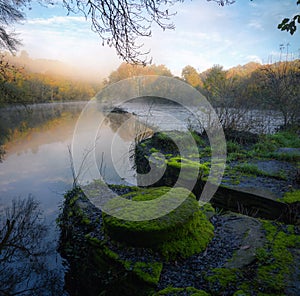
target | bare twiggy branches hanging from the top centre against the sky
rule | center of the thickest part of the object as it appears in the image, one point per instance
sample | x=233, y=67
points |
x=120, y=23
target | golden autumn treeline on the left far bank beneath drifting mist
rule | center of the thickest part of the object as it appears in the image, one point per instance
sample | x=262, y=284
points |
x=19, y=86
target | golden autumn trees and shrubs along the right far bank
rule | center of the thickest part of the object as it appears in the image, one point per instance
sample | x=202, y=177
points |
x=235, y=91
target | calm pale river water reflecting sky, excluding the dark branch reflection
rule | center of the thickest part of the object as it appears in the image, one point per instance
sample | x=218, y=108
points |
x=37, y=163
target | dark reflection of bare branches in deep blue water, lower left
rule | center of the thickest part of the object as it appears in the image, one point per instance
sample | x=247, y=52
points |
x=25, y=252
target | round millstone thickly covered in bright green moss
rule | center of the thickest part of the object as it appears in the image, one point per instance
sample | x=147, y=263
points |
x=182, y=232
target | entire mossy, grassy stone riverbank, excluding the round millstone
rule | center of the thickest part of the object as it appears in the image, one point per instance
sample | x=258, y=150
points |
x=247, y=255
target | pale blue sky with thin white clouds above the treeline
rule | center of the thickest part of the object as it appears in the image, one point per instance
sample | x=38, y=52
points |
x=205, y=34
